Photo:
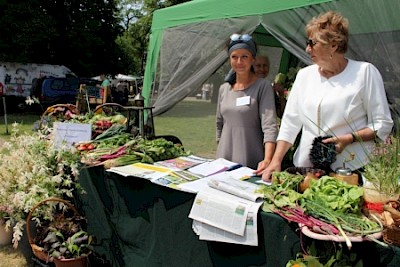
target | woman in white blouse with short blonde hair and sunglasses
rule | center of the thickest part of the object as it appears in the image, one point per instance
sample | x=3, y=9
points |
x=336, y=96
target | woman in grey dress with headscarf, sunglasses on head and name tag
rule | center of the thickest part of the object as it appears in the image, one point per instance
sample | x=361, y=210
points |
x=245, y=118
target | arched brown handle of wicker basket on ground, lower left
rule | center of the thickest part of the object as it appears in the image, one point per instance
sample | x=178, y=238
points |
x=38, y=251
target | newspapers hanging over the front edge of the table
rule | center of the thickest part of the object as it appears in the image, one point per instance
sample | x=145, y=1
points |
x=225, y=216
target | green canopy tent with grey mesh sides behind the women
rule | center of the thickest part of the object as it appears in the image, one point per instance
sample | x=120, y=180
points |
x=188, y=41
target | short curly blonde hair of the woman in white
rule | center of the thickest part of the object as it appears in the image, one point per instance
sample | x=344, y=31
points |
x=330, y=27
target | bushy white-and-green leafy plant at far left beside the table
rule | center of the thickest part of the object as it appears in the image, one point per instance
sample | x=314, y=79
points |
x=33, y=169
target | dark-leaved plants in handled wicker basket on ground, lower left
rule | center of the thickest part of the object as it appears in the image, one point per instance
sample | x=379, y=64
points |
x=61, y=237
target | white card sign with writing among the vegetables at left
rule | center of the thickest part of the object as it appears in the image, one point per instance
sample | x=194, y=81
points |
x=71, y=132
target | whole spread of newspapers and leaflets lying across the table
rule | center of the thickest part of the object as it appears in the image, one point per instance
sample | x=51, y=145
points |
x=226, y=206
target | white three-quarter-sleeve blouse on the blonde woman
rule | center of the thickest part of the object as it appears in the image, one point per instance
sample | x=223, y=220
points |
x=347, y=102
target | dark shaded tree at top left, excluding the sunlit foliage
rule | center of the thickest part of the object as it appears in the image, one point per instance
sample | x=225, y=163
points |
x=80, y=34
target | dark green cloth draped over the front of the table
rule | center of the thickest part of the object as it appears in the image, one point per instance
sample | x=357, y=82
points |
x=138, y=223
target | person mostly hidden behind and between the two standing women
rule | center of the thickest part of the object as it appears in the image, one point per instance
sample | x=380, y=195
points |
x=261, y=69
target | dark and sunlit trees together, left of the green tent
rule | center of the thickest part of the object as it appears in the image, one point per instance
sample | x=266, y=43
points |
x=88, y=36
